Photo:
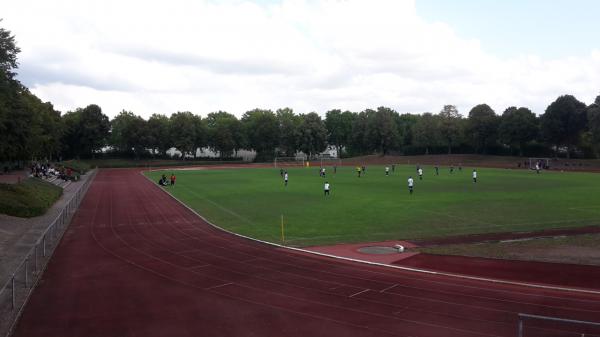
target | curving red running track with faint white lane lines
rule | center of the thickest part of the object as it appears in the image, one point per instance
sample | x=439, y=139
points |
x=134, y=262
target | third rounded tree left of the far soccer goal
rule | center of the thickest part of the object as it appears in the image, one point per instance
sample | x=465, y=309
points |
x=183, y=127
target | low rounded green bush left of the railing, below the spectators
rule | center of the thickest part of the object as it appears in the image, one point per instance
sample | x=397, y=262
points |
x=32, y=197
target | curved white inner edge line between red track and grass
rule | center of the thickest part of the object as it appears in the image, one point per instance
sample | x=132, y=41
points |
x=417, y=270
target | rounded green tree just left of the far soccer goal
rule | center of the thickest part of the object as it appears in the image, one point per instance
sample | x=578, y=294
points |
x=261, y=129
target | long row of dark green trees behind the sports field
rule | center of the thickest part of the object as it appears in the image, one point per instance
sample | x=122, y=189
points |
x=32, y=129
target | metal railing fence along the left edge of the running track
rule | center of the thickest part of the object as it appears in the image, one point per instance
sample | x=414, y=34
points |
x=16, y=290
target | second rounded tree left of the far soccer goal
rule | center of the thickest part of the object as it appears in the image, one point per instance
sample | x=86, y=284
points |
x=223, y=129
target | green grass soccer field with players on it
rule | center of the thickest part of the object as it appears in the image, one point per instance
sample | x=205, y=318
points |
x=375, y=207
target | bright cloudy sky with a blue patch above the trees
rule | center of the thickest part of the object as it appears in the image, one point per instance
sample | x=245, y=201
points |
x=151, y=56
